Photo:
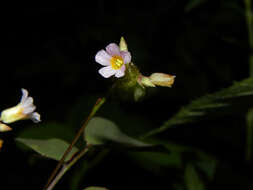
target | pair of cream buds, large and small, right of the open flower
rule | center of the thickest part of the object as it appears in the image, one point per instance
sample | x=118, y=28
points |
x=157, y=79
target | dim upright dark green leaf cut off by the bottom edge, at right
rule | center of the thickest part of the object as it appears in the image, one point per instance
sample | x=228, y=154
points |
x=192, y=179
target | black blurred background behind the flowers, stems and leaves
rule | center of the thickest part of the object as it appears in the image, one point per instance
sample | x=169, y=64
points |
x=48, y=48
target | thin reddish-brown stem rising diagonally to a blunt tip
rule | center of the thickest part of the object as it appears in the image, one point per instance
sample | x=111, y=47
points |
x=96, y=107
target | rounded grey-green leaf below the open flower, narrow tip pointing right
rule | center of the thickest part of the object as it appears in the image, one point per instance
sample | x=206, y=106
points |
x=102, y=131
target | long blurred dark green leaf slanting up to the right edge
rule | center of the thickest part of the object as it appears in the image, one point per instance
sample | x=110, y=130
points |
x=211, y=105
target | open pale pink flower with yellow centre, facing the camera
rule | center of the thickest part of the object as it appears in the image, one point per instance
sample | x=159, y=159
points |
x=114, y=61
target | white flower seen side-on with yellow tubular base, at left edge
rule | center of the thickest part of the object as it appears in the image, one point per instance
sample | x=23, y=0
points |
x=24, y=110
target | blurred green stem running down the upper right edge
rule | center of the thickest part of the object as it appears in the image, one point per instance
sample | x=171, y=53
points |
x=248, y=16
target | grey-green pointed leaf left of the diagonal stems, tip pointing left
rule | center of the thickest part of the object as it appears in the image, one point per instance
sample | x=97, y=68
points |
x=51, y=148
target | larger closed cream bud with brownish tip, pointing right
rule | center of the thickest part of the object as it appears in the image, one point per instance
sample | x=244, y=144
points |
x=161, y=79
